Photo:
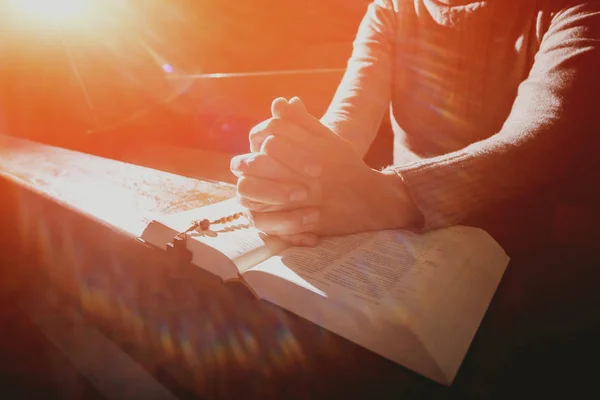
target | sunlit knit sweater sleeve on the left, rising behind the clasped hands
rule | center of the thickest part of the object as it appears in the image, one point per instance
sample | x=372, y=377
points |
x=364, y=93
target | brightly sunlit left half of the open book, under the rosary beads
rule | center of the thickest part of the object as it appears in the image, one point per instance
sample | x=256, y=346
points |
x=238, y=240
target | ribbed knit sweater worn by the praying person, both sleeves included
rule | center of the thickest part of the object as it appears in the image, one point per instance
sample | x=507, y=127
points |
x=490, y=100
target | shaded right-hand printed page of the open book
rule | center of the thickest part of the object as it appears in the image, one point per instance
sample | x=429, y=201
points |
x=439, y=283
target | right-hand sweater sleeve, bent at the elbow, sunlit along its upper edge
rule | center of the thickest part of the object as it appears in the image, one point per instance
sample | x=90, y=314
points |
x=553, y=124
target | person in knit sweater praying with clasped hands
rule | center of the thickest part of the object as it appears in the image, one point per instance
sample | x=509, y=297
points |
x=492, y=103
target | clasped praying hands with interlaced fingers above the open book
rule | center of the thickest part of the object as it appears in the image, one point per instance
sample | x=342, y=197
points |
x=301, y=180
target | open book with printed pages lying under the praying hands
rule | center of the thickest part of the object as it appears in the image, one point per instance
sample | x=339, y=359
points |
x=415, y=299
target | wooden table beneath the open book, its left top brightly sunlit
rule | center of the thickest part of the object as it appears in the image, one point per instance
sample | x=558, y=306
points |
x=131, y=322
